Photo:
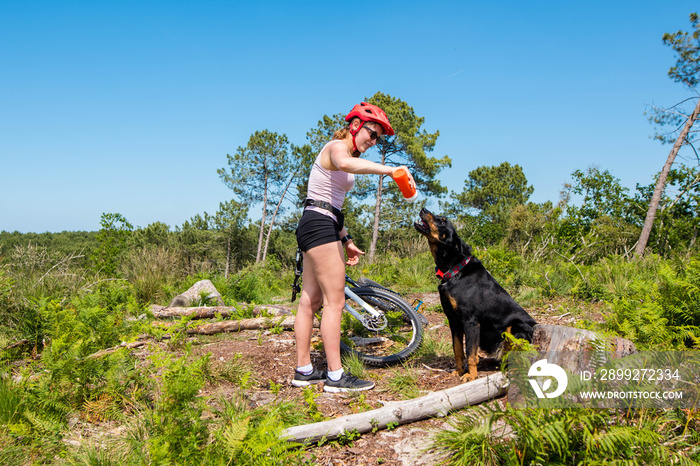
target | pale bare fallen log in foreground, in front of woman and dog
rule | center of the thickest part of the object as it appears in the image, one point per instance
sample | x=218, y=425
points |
x=436, y=404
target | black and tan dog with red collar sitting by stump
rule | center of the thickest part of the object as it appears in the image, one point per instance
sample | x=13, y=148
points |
x=478, y=309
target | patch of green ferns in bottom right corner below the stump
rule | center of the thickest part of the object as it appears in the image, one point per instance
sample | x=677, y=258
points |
x=492, y=435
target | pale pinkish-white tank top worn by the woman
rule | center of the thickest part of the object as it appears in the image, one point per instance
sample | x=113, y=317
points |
x=328, y=185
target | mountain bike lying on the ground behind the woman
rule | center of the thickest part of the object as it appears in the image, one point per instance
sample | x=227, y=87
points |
x=378, y=325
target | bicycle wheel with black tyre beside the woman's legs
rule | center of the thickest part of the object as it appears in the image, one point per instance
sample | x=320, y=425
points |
x=392, y=341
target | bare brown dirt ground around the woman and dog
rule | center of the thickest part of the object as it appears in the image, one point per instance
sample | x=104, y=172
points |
x=272, y=359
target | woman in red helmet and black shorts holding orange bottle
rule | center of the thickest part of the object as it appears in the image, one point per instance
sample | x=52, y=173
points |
x=321, y=236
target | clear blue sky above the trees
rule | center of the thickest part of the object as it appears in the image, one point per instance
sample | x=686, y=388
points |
x=132, y=106
